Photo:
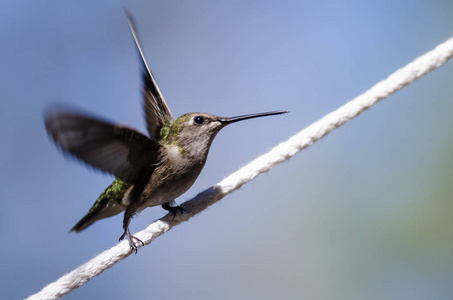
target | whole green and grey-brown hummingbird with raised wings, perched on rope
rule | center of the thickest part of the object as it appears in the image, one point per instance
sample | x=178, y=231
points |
x=151, y=169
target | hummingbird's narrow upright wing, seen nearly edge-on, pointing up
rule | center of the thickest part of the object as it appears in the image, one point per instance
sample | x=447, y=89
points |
x=157, y=112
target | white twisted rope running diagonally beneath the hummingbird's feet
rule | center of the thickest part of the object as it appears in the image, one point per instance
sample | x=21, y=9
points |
x=402, y=77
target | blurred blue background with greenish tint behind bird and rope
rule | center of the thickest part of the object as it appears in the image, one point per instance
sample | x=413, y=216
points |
x=366, y=213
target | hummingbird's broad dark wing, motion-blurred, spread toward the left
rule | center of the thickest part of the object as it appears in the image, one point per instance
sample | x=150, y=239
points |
x=114, y=149
